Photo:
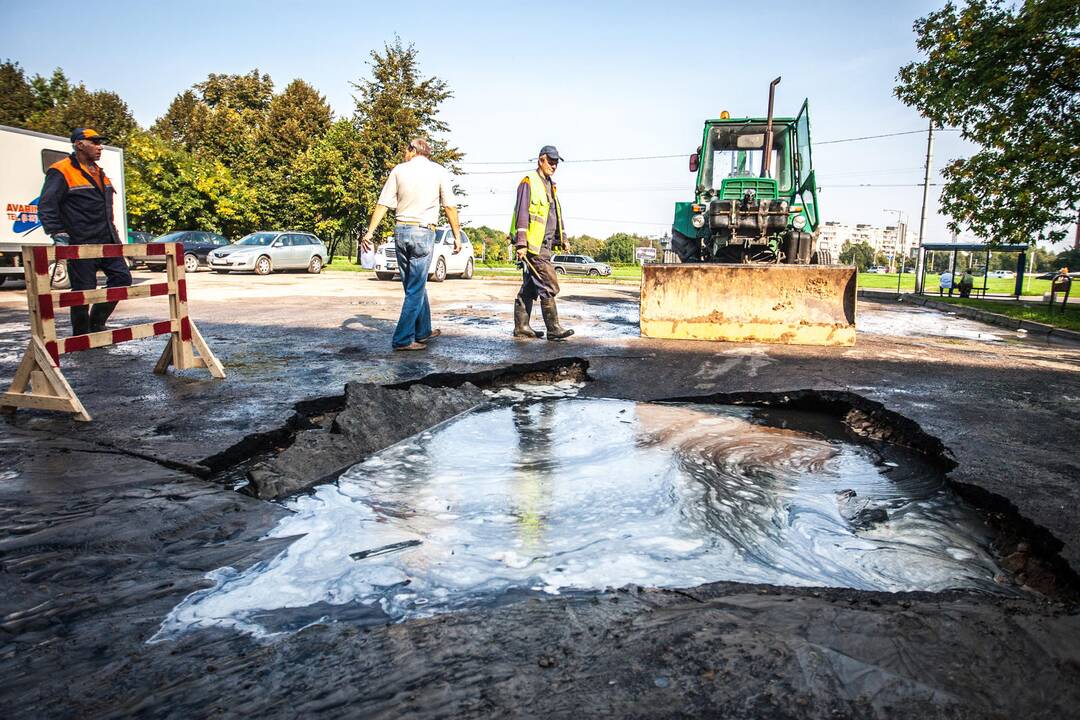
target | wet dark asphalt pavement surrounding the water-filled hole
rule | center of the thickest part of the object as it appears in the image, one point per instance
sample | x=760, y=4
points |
x=106, y=528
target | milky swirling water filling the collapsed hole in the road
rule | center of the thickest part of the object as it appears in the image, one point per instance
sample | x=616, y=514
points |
x=564, y=495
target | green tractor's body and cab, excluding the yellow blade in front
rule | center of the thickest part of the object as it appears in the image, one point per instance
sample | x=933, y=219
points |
x=757, y=198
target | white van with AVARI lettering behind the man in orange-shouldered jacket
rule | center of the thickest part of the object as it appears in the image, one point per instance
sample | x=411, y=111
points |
x=26, y=157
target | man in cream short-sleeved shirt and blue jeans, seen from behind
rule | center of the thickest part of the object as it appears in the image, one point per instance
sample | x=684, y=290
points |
x=415, y=191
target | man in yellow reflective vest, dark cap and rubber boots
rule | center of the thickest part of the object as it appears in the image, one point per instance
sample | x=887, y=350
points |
x=536, y=230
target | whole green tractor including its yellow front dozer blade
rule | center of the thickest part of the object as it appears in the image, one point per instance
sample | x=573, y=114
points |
x=750, y=269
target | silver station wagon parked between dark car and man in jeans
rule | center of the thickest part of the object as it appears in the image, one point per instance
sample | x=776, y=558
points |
x=268, y=251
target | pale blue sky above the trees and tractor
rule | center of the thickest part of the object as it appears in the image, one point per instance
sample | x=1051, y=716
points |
x=600, y=80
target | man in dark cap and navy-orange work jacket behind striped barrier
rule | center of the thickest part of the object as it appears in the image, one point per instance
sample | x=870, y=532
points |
x=76, y=209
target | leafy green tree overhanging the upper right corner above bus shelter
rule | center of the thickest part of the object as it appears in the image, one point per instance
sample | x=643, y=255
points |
x=1008, y=76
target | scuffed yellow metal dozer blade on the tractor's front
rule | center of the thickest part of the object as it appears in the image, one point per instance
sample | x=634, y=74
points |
x=782, y=304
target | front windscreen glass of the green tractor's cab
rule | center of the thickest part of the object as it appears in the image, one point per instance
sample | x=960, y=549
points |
x=738, y=151
